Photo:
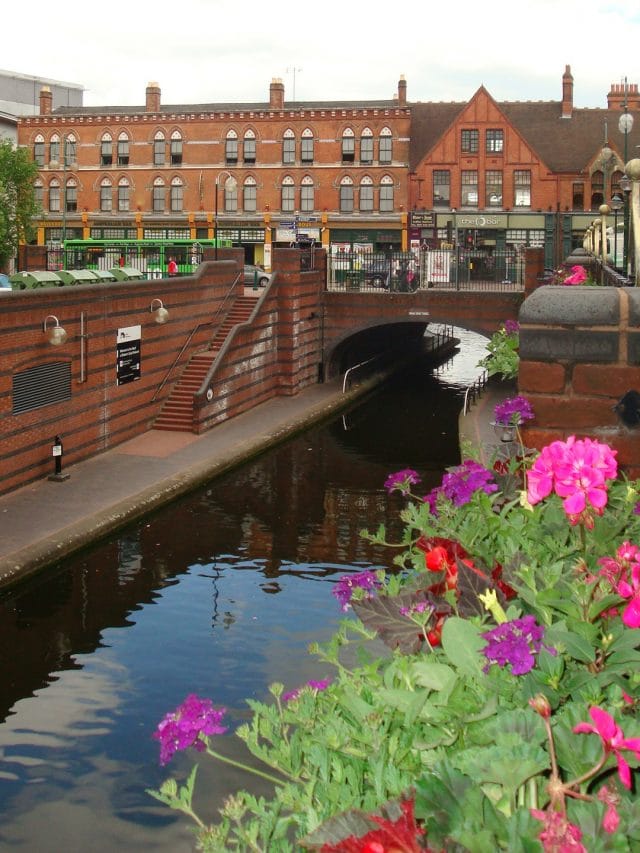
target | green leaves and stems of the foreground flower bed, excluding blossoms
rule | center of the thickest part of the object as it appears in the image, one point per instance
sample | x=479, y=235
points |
x=437, y=722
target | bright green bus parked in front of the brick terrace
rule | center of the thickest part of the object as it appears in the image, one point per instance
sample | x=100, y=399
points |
x=150, y=256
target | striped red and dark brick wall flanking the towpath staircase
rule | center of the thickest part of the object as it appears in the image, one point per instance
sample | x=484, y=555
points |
x=277, y=354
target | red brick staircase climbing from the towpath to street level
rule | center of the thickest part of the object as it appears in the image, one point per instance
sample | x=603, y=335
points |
x=177, y=412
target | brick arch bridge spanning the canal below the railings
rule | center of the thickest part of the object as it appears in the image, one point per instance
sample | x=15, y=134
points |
x=358, y=325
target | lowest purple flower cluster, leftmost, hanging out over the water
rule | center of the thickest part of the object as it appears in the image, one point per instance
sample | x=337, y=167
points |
x=186, y=726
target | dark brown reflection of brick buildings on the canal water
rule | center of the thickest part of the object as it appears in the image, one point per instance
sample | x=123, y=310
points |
x=298, y=510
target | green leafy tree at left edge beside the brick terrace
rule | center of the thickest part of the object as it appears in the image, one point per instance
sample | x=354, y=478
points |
x=18, y=205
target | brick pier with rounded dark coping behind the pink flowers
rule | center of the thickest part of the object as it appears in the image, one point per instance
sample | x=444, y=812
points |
x=580, y=353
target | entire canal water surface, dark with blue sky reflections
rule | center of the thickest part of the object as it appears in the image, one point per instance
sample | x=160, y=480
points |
x=218, y=594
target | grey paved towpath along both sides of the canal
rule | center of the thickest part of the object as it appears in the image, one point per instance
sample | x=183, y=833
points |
x=43, y=522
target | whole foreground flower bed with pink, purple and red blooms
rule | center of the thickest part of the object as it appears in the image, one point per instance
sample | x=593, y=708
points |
x=503, y=713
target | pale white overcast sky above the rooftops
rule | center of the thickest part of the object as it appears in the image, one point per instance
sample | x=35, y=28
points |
x=209, y=51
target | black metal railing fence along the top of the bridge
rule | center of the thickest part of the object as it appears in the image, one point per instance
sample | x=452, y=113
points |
x=406, y=272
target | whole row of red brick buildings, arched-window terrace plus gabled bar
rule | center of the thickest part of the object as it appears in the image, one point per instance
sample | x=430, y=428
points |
x=383, y=174
